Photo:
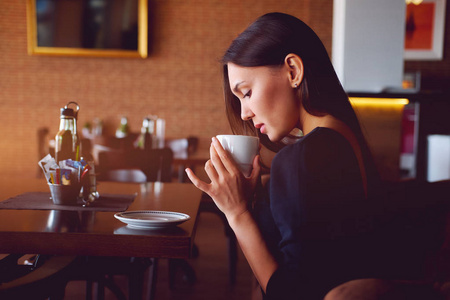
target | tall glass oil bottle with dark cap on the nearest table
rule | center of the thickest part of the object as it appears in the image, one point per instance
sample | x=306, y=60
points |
x=64, y=139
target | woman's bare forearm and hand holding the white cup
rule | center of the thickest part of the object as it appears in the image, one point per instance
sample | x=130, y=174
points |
x=231, y=191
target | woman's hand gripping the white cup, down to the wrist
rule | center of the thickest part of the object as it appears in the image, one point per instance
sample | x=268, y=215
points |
x=229, y=188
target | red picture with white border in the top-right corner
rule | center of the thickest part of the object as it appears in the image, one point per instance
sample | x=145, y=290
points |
x=425, y=26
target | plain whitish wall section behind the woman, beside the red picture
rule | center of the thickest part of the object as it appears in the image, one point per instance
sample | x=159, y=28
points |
x=368, y=42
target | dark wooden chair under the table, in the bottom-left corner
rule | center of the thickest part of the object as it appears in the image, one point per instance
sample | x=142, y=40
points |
x=46, y=278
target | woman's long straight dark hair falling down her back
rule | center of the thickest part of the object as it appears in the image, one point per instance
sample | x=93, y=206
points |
x=266, y=42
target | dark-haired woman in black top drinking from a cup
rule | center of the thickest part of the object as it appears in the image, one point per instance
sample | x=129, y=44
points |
x=308, y=232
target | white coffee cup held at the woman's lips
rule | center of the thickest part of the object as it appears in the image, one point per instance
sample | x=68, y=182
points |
x=242, y=148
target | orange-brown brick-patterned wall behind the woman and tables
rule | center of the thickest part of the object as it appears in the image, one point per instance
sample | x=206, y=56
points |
x=180, y=81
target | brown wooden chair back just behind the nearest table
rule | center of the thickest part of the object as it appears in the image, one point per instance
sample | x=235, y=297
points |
x=135, y=165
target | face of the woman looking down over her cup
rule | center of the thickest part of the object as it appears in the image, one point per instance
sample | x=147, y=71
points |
x=267, y=98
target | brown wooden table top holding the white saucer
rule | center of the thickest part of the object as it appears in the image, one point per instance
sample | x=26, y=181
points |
x=99, y=233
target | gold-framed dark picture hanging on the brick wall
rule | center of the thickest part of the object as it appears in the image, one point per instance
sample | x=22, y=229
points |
x=65, y=47
